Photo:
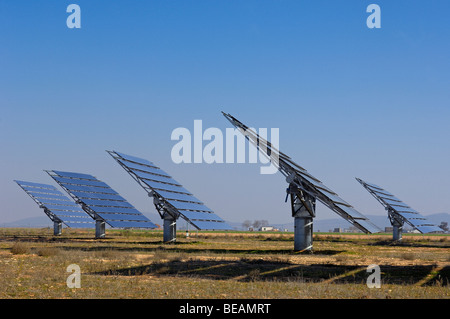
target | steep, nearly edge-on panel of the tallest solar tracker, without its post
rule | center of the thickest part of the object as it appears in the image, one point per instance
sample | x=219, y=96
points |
x=304, y=180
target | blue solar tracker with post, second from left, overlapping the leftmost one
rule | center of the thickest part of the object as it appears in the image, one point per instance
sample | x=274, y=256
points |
x=101, y=202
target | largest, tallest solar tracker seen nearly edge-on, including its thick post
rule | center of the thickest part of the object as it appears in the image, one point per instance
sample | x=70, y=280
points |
x=303, y=189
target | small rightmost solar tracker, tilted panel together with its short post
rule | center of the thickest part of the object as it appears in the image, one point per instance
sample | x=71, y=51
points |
x=399, y=212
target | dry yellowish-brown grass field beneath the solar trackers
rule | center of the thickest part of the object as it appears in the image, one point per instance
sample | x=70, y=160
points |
x=229, y=265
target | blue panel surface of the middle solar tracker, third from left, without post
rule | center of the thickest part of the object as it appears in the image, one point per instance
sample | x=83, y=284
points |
x=172, y=194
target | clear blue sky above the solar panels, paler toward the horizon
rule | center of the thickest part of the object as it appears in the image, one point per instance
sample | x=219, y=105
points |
x=349, y=101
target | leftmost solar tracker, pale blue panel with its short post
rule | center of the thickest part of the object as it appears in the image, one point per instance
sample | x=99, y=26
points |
x=58, y=207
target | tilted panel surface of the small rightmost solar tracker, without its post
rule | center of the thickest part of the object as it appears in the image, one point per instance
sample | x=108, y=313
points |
x=395, y=205
